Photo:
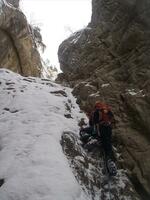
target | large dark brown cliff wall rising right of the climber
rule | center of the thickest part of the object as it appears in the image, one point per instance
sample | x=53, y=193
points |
x=109, y=60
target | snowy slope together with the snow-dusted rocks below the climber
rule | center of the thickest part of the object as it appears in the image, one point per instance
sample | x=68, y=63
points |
x=39, y=145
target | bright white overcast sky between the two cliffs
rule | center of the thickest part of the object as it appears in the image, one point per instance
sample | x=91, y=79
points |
x=54, y=17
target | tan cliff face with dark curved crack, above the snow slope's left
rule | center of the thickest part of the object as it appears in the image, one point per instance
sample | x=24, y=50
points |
x=18, y=51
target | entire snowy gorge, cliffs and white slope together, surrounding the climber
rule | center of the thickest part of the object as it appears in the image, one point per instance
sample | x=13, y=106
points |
x=41, y=155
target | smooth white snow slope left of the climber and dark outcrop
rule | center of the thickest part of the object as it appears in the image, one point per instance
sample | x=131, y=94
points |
x=32, y=121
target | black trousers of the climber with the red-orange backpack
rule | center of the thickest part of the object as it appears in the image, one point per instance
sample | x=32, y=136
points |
x=106, y=134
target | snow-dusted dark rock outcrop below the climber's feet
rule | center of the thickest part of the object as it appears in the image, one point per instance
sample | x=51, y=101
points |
x=89, y=170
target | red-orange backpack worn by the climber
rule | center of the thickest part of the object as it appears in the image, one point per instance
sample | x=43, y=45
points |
x=107, y=116
